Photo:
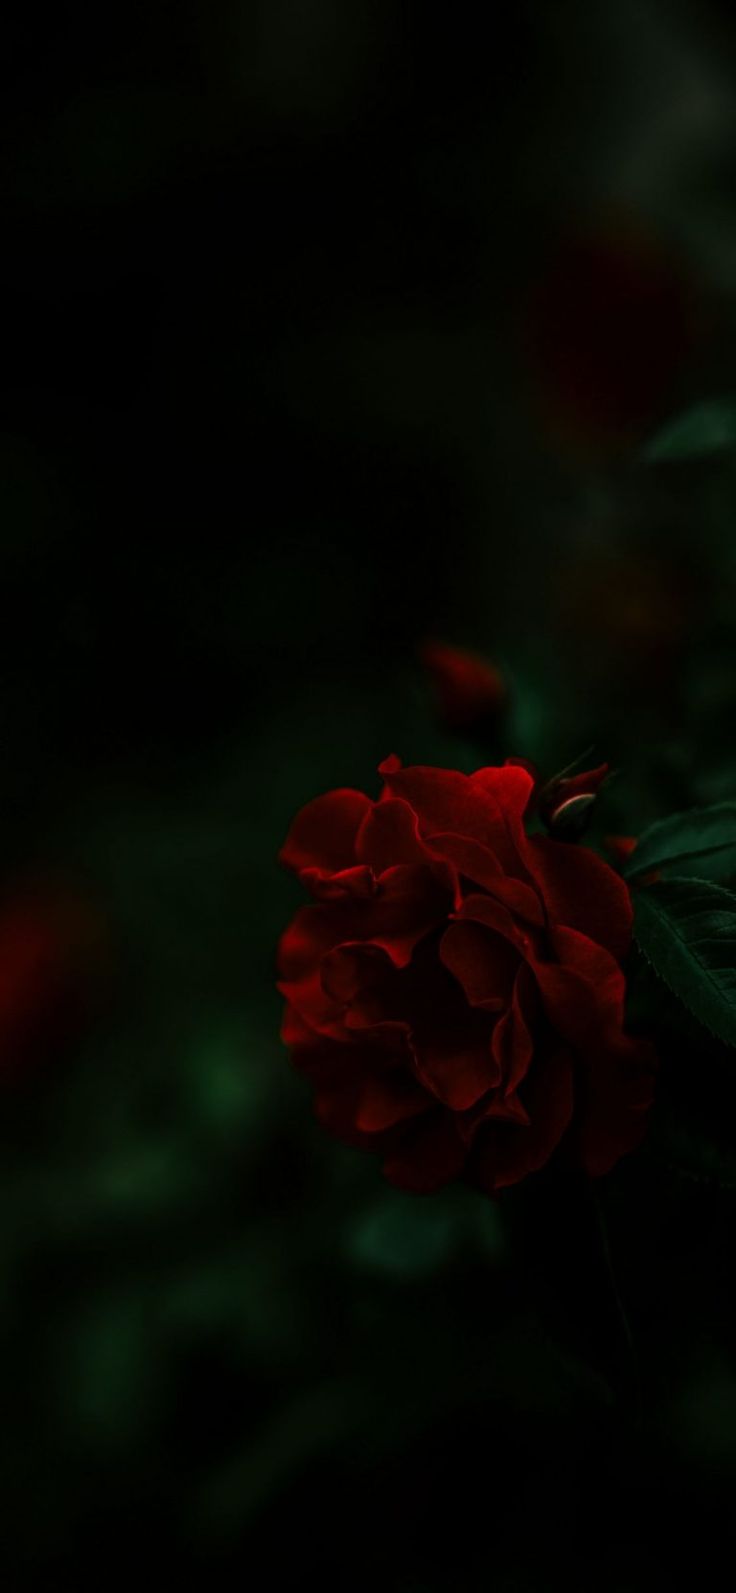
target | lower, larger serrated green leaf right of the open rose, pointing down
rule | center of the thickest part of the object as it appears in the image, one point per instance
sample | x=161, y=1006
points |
x=687, y=930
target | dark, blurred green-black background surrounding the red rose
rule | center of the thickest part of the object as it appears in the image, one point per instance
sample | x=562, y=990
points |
x=329, y=329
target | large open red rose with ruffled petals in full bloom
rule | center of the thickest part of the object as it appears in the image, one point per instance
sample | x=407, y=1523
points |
x=456, y=993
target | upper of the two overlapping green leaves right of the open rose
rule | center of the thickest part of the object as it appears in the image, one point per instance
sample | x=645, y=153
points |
x=702, y=840
